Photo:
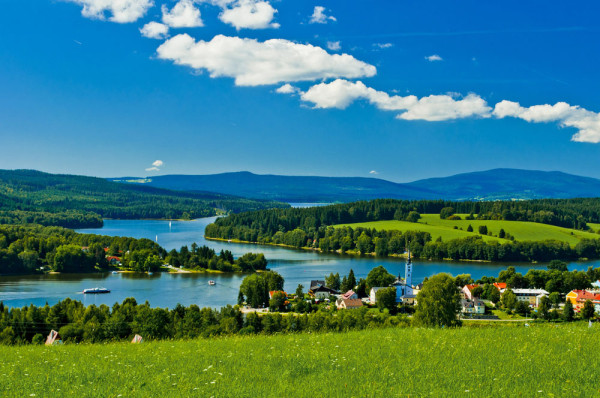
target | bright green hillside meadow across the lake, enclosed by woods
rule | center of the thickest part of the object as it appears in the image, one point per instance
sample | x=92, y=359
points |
x=521, y=230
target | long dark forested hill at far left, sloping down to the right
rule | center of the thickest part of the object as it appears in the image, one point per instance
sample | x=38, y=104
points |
x=28, y=196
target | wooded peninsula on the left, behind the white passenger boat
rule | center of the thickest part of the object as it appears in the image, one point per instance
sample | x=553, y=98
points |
x=26, y=249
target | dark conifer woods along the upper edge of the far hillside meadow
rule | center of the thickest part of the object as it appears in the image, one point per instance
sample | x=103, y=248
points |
x=262, y=224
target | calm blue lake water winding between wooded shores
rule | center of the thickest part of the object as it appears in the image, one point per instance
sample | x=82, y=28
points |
x=166, y=290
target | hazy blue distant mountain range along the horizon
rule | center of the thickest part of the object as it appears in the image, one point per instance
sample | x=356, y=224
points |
x=497, y=184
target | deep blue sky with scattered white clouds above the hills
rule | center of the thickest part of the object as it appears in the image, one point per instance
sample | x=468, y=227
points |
x=406, y=89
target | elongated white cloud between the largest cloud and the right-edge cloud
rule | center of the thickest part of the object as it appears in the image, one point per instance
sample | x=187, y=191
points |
x=341, y=93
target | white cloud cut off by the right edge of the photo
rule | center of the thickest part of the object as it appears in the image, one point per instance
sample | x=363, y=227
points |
x=587, y=122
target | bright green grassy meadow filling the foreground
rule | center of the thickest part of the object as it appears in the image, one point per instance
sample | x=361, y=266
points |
x=541, y=360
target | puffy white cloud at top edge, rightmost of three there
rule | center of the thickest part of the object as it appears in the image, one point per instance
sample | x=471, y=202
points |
x=250, y=14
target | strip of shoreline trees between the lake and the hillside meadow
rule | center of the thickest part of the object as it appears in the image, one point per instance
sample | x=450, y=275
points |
x=386, y=243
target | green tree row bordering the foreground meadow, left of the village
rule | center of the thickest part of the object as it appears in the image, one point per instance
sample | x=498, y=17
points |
x=76, y=323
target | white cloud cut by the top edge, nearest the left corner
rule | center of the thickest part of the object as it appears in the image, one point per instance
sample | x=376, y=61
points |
x=122, y=11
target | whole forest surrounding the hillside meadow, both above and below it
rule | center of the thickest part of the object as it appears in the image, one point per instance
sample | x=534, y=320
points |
x=310, y=227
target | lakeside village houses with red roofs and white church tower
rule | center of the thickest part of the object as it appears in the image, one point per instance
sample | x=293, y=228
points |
x=489, y=301
